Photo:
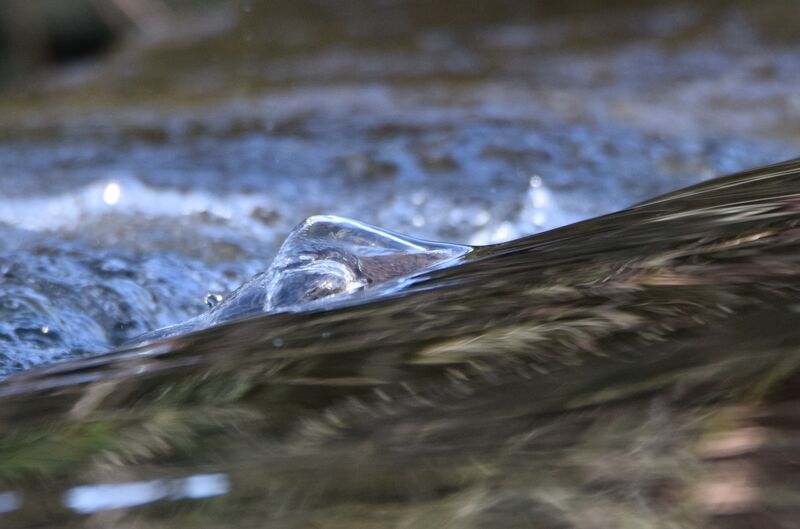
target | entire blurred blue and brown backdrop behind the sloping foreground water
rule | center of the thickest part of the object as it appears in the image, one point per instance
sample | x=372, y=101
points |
x=153, y=151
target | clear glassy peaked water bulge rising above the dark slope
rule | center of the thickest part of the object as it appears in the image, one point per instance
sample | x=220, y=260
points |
x=325, y=261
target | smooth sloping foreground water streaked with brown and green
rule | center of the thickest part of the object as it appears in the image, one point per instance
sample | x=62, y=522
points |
x=635, y=370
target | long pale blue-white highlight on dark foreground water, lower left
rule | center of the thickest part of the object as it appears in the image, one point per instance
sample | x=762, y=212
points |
x=89, y=499
